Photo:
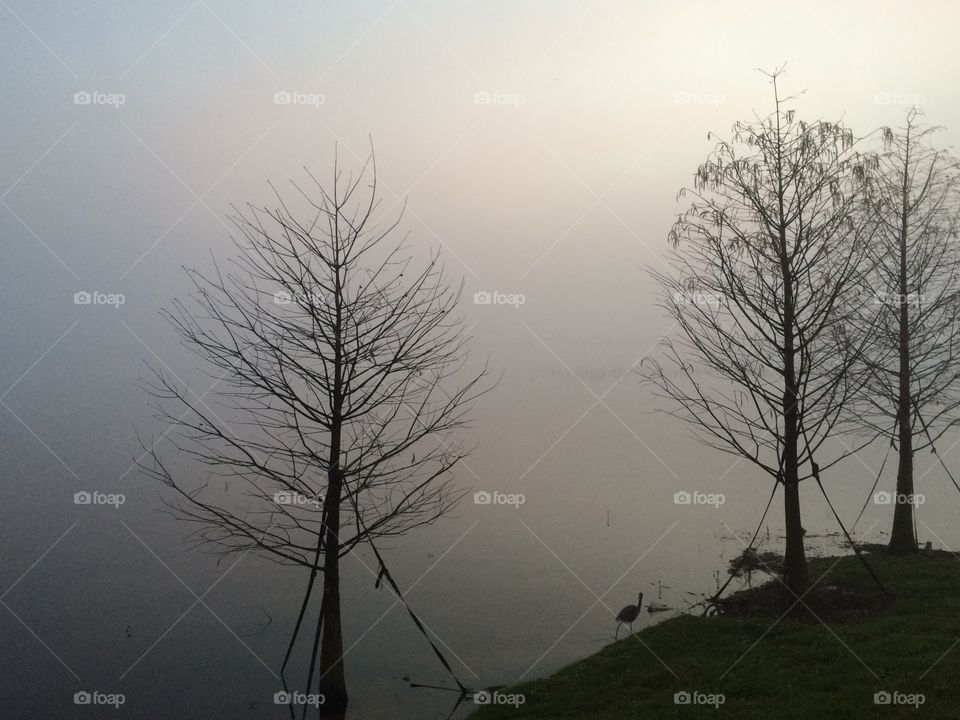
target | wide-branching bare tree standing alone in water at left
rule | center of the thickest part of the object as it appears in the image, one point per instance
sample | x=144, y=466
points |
x=341, y=381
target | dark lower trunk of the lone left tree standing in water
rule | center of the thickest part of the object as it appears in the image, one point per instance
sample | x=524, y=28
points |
x=332, y=684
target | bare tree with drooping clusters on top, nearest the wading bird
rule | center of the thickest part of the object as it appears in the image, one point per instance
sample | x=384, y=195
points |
x=766, y=260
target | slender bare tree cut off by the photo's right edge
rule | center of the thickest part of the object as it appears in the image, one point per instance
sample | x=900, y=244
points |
x=911, y=396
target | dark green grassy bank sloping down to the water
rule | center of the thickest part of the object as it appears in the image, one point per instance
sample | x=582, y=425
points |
x=795, y=670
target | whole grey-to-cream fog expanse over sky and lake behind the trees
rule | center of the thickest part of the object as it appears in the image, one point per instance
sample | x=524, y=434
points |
x=539, y=147
